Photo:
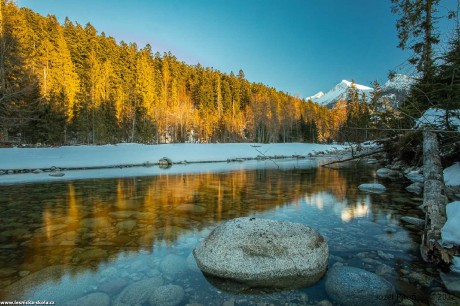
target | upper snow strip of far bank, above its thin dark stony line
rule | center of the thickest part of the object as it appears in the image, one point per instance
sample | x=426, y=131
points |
x=138, y=154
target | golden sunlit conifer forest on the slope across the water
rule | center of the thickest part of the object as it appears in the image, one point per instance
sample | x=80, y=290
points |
x=69, y=84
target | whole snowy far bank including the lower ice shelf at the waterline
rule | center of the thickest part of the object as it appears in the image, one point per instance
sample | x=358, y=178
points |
x=113, y=156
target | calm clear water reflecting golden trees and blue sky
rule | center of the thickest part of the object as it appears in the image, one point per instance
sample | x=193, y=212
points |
x=65, y=240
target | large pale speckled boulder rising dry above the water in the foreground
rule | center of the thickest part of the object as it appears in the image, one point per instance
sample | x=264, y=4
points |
x=263, y=253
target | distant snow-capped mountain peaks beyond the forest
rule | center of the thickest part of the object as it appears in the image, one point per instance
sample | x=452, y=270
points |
x=395, y=90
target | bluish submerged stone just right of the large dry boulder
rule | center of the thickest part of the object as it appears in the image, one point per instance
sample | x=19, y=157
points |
x=355, y=287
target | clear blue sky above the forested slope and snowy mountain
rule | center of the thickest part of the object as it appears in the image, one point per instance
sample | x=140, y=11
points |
x=297, y=46
